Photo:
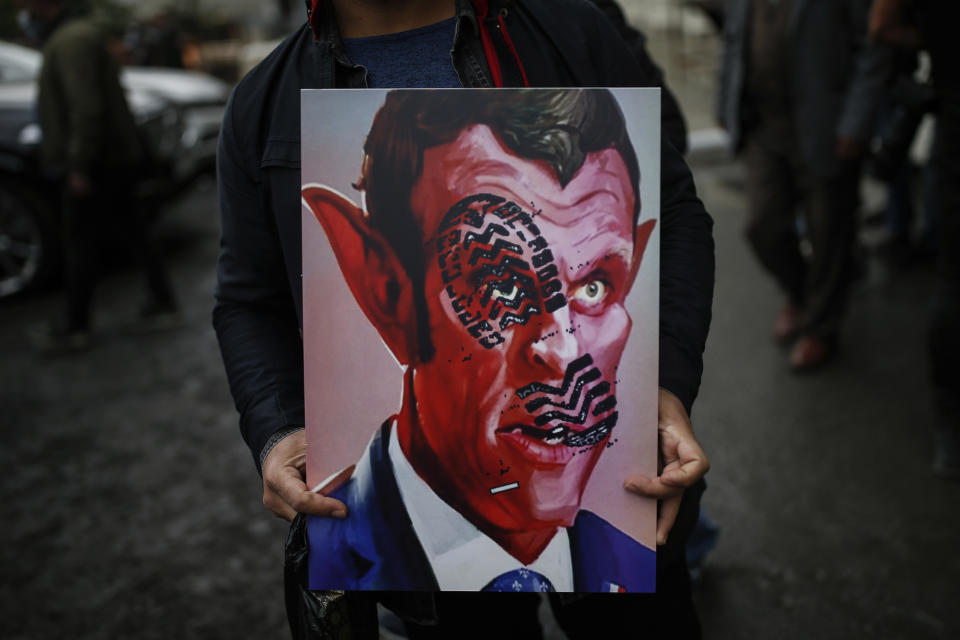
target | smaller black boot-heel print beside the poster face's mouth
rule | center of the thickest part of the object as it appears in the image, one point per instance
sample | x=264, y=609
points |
x=597, y=401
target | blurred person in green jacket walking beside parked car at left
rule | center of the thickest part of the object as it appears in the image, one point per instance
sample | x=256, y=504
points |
x=92, y=150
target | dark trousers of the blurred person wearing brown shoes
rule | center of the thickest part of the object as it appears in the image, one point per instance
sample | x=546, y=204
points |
x=779, y=188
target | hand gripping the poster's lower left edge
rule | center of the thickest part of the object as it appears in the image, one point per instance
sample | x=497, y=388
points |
x=284, y=491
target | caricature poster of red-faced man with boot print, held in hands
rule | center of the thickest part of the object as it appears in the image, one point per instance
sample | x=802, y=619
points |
x=480, y=282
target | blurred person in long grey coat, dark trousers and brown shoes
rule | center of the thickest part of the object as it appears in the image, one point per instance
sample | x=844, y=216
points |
x=799, y=85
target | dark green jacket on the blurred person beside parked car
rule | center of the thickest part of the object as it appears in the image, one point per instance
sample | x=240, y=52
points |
x=87, y=124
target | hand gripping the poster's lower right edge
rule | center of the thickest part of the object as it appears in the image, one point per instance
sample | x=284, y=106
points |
x=682, y=461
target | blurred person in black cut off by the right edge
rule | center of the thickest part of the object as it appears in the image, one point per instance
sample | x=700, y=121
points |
x=938, y=20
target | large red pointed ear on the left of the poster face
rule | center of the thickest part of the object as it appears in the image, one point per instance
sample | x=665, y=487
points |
x=372, y=270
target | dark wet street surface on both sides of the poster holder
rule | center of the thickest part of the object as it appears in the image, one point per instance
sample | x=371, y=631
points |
x=131, y=508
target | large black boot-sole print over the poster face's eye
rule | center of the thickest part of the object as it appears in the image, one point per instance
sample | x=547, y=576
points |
x=500, y=275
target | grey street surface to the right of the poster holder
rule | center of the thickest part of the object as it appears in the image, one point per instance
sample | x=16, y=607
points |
x=832, y=525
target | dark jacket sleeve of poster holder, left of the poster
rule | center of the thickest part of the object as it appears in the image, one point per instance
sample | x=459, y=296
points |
x=255, y=317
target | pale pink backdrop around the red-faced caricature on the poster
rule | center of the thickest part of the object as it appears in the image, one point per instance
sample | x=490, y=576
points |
x=353, y=383
